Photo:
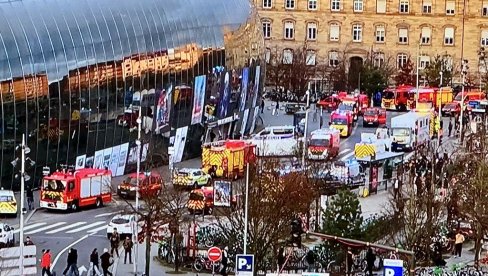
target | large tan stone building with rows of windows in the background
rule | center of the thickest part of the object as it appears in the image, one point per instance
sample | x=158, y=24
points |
x=394, y=30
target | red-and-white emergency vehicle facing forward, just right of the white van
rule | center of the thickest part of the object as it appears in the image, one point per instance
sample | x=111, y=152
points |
x=323, y=144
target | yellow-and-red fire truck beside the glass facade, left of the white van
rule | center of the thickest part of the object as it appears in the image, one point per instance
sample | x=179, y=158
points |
x=227, y=159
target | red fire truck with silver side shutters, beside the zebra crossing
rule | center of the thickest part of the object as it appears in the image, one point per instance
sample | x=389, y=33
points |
x=71, y=190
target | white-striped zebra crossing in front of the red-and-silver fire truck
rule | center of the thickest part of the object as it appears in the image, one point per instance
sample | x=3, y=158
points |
x=62, y=227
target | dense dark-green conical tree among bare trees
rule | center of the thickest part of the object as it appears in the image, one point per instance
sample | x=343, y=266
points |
x=343, y=216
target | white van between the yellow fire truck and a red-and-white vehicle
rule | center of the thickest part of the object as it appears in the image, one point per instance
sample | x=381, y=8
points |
x=276, y=141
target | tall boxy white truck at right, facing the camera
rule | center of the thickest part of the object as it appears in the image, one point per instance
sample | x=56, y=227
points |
x=410, y=130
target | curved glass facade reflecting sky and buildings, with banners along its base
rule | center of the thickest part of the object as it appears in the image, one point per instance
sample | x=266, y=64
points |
x=74, y=75
